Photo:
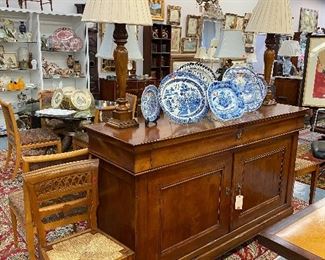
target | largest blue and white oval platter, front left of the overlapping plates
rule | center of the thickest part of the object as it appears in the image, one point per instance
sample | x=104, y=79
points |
x=182, y=97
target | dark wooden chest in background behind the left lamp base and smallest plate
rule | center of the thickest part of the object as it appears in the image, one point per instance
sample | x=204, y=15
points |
x=109, y=88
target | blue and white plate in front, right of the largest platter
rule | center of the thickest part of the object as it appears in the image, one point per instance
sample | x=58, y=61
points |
x=225, y=100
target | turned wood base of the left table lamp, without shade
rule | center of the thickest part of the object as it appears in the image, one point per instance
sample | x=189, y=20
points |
x=122, y=115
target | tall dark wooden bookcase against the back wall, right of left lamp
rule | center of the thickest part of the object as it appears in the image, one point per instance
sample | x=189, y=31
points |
x=156, y=50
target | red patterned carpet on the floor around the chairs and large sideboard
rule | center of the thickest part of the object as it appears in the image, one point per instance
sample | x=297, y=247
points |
x=250, y=250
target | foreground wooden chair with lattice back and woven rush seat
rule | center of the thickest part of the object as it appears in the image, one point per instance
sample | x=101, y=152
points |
x=45, y=190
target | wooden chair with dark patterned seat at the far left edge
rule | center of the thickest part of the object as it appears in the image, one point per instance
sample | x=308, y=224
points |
x=27, y=141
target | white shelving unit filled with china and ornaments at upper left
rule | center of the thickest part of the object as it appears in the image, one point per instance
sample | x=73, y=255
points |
x=34, y=53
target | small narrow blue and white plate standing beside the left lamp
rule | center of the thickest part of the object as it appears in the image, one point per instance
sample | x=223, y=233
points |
x=150, y=103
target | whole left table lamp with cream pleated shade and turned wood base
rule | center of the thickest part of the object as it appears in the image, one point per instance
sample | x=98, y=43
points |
x=120, y=13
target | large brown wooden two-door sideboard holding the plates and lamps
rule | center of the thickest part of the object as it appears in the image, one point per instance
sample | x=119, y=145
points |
x=168, y=192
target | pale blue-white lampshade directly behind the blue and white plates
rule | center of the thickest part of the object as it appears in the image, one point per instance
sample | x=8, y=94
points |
x=231, y=45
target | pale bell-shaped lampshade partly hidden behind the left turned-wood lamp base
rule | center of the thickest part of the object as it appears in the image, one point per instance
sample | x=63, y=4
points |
x=108, y=46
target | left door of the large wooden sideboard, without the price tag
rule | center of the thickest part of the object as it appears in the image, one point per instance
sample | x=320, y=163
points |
x=192, y=207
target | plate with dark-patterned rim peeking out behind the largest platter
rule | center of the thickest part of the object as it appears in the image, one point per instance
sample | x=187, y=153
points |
x=201, y=71
